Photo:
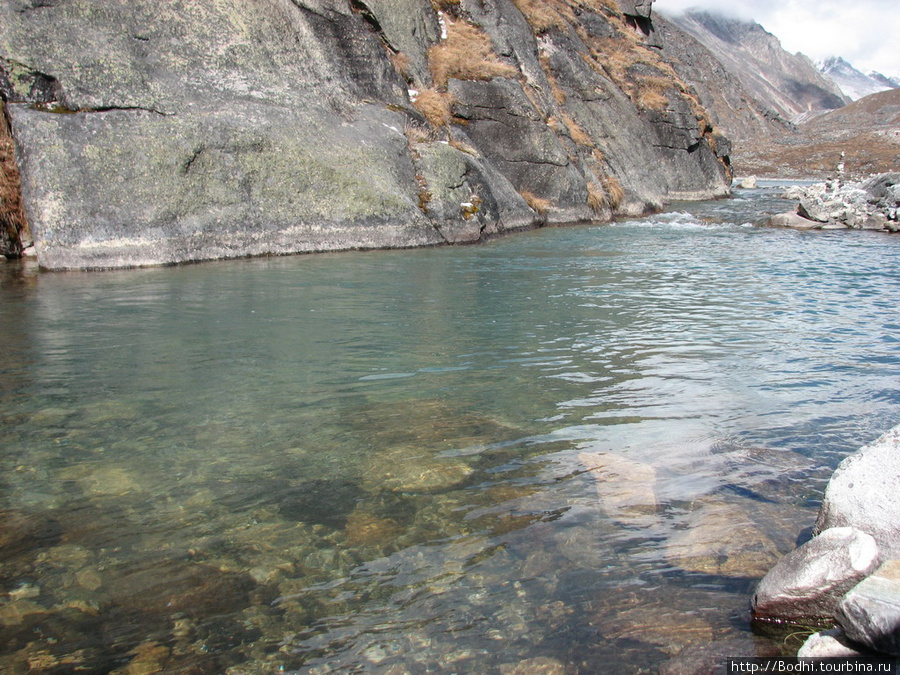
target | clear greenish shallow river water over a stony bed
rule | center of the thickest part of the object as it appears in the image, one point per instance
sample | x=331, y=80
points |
x=565, y=448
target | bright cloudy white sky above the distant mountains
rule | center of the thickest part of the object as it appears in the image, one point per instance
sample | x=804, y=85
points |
x=864, y=32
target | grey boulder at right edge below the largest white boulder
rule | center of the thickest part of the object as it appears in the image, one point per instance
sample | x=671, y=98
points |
x=870, y=612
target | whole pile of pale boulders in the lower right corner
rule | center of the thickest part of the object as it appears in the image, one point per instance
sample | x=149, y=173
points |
x=848, y=574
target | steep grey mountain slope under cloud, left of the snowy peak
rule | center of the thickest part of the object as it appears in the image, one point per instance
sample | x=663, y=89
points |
x=788, y=85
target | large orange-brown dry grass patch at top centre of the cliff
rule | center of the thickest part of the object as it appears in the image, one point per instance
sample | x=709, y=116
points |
x=466, y=54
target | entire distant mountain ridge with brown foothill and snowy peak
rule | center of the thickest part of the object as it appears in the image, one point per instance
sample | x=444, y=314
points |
x=783, y=116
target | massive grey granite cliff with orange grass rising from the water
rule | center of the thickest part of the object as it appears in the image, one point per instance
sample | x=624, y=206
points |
x=159, y=132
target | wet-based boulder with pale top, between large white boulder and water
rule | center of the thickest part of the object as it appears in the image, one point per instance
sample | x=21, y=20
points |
x=808, y=583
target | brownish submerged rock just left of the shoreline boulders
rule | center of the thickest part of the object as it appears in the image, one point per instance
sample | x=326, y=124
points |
x=720, y=538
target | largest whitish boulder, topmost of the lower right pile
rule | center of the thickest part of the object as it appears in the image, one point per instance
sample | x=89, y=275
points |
x=863, y=491
